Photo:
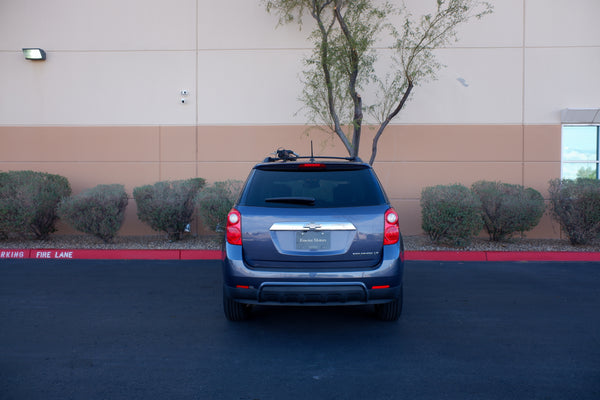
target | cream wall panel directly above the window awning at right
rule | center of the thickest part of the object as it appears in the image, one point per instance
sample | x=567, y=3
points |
x=558, y=78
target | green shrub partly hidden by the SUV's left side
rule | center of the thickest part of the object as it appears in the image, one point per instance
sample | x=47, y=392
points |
x=215, y=201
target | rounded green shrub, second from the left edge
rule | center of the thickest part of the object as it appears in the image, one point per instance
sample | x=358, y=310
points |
x=98, y=211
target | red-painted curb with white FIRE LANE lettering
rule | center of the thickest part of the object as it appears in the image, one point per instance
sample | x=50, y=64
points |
x=93, y=254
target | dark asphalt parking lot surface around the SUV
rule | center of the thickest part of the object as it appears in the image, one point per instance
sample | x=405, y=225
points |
x=155, y=330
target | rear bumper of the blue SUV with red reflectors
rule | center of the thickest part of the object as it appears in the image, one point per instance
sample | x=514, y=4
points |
x=277, y=287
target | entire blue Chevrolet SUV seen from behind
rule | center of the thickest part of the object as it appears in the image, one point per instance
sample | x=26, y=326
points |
x=312, y=231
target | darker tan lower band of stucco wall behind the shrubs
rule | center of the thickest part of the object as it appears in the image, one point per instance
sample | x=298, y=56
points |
x=410, y=157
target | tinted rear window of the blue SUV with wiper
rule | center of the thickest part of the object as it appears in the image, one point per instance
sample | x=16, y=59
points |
x=313, y=188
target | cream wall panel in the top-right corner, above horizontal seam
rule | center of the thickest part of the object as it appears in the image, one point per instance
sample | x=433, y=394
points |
x=562, y=23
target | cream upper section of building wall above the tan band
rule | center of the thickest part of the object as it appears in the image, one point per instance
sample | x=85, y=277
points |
x=124, y=62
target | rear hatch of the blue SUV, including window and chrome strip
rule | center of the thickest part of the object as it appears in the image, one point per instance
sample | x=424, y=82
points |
x=313, y=216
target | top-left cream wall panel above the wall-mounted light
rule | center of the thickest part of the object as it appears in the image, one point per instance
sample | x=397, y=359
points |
x=98, y=25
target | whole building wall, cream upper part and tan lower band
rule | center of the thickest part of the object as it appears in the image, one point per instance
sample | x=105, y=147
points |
x=105, y=107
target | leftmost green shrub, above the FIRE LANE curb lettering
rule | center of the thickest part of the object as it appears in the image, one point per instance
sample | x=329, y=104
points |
x=28, y=202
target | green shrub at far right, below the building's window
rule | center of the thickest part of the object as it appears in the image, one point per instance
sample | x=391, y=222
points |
x=575, y=204
